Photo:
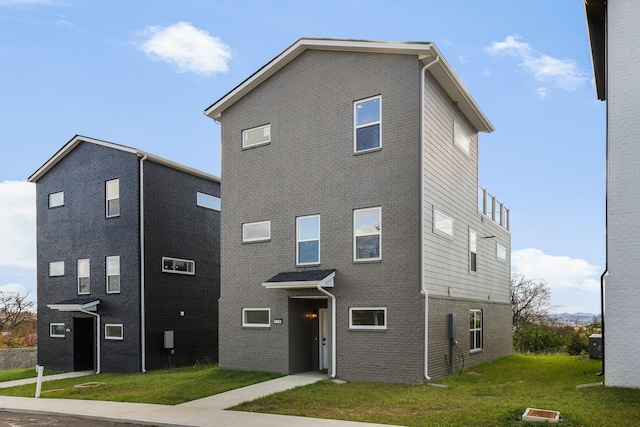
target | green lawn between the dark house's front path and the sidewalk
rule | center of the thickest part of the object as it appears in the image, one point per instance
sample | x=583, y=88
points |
x=167, y=387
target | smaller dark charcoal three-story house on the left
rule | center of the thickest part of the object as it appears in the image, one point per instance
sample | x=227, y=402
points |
x=128, y=260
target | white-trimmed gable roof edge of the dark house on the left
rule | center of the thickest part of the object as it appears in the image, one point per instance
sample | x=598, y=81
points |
x=73, y=143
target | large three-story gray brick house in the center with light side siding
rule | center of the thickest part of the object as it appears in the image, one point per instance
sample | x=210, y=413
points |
x=351, y=234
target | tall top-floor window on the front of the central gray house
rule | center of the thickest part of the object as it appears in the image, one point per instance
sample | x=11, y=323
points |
x=367, y=124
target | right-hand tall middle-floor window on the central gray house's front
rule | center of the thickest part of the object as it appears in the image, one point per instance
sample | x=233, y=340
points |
x=366, y=234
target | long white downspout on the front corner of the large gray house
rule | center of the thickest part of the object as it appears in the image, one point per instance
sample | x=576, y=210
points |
x=423, y=284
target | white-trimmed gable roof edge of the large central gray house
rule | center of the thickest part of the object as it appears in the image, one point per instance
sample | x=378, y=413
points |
x=425, y=51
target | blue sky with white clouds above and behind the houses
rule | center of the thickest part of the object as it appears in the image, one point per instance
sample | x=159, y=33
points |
x=141, y=73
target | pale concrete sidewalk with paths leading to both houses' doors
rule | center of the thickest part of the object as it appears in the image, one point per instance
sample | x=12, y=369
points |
x=206, y=412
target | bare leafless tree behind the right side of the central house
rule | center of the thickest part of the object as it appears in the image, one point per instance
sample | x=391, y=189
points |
x=529, y=300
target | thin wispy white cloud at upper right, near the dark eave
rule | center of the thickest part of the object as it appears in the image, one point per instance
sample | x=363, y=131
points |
x=563, y=73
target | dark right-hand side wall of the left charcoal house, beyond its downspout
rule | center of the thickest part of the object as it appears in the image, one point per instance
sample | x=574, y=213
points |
x=176, y=227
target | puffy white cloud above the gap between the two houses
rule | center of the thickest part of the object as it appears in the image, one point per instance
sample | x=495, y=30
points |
x=189, y=48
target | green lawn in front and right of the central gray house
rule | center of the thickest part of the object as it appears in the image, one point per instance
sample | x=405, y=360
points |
x=494, y=394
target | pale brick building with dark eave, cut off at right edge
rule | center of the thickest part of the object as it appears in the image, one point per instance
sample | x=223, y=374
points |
x=614, y=35
